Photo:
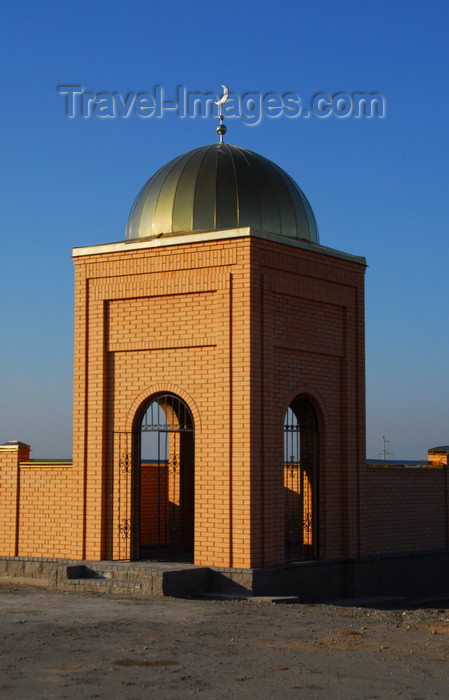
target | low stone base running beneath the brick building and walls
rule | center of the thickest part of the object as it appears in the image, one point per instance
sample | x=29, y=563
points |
x=421, y=574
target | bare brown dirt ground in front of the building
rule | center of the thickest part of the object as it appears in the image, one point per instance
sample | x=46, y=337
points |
x=59, y=645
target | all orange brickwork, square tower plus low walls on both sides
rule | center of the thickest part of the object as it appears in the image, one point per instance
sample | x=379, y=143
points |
x=237, y=328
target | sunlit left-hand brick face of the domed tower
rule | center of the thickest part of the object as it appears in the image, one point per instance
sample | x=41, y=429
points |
x=158, y=320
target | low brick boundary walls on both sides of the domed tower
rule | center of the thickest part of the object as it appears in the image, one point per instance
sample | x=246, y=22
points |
x=405, y=510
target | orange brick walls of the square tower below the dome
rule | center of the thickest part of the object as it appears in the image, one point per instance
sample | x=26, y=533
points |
x=236, y=328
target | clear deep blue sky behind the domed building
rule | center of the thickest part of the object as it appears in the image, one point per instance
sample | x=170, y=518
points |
x=379, y=187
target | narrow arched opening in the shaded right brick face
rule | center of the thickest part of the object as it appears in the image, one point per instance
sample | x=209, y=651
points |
x=301, y=443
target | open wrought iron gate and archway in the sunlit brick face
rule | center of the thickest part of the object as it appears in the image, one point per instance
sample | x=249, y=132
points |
x=155, y=492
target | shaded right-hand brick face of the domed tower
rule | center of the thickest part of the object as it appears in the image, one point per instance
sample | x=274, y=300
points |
x=308, y=316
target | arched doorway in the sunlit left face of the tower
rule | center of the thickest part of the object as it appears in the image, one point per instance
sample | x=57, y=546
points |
x=164, y=481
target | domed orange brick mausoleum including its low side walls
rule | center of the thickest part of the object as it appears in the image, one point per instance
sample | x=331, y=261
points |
x=219, y=392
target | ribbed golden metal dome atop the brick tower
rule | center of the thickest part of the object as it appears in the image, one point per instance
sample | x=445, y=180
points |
x=221, y=187
